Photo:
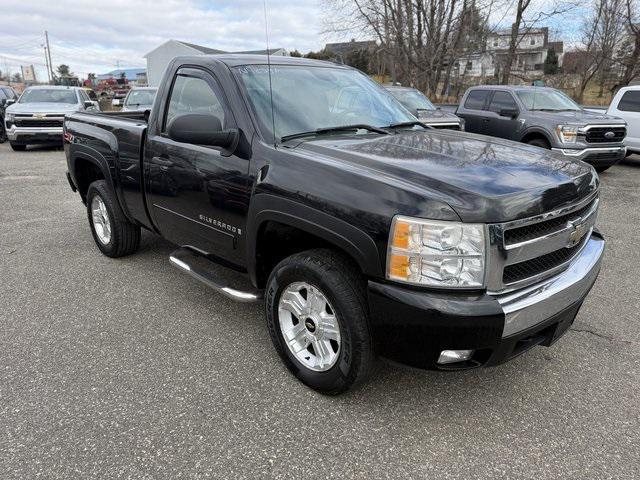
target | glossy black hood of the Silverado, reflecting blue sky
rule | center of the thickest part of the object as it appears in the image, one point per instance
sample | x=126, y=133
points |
x=483, y=179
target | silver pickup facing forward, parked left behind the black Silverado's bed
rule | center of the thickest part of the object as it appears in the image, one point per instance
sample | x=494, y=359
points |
x=37, y=116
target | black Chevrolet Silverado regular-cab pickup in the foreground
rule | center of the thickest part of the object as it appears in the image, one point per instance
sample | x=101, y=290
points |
x=365, y=232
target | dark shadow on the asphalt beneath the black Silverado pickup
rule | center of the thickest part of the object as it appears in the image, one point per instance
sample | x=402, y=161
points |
x=387, y=381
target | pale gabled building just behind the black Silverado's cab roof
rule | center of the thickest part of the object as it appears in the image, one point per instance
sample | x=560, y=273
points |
x=159, y=58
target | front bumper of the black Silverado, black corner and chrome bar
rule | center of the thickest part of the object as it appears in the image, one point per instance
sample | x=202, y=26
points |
x=413, y=327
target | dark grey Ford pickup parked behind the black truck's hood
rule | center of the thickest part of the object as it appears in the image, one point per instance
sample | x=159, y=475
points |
x=547, y=118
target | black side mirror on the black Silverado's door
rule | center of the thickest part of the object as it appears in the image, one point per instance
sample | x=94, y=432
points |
x=202, y=129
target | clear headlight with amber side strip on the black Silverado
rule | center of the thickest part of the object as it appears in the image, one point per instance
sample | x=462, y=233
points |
x=436, y=253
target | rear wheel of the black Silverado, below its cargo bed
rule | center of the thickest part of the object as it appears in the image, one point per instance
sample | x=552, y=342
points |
x=114, y=235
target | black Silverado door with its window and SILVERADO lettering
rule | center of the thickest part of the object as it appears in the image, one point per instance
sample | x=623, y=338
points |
x=199, y=194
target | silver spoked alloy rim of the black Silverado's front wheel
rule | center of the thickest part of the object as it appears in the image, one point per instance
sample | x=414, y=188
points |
x=309, y=325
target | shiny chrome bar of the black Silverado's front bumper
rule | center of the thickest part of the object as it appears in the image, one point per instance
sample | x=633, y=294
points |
x=532, y=305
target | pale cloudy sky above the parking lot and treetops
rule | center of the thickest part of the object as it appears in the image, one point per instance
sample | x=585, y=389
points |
x=98, y=36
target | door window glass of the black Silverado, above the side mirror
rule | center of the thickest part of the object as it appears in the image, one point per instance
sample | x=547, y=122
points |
x=193, y=95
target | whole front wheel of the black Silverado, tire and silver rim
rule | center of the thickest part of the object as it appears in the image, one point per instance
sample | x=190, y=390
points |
x=317, y=317
